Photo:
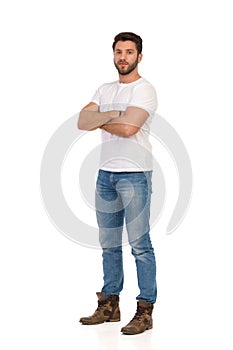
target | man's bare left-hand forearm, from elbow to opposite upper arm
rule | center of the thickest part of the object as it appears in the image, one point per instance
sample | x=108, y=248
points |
x=91, y=120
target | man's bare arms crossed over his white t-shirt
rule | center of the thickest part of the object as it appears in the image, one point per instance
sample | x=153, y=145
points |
x=123, y=124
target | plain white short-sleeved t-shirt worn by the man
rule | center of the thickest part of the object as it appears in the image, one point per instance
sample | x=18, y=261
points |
x=127, y=154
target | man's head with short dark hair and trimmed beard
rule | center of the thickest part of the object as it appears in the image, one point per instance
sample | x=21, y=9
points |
x=127, y=49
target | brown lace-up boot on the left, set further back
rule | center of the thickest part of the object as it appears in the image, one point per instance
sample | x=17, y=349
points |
x=107, y=310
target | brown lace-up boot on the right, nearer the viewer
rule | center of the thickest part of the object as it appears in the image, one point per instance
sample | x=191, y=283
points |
x=142, y=320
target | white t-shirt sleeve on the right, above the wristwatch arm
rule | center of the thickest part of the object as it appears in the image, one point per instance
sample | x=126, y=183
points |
x=145, y=97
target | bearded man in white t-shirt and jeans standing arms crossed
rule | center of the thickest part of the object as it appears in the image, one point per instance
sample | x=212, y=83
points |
x=123, y=111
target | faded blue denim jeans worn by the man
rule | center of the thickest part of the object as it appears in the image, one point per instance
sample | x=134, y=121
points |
x=125, y=197
